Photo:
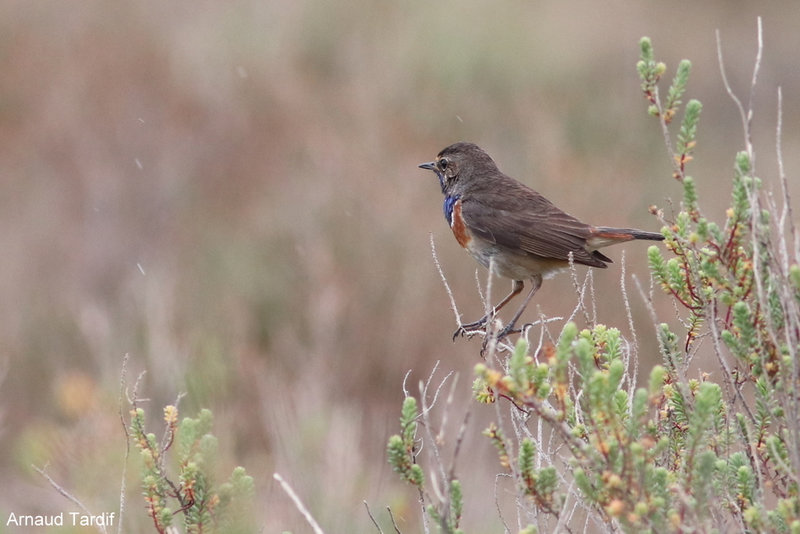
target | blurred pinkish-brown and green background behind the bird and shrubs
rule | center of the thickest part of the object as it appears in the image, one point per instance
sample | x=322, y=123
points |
x=228, y=193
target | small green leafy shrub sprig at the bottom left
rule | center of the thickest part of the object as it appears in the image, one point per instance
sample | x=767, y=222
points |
x=205, y=507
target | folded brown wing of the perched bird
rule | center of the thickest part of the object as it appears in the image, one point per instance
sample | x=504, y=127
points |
x=516, y=217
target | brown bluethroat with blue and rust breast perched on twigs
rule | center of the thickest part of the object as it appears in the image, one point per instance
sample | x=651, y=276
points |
x=511, y=227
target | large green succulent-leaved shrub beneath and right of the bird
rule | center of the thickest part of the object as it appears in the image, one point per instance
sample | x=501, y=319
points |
x=686, y=453
